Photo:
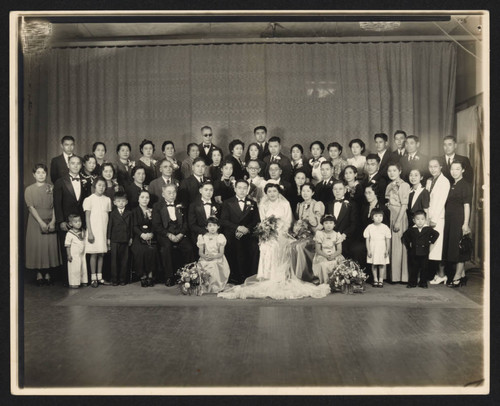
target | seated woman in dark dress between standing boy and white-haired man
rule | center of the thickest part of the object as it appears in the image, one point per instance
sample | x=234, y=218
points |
x=144, y=244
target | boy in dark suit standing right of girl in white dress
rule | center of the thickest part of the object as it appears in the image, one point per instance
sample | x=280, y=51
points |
x=119, y=237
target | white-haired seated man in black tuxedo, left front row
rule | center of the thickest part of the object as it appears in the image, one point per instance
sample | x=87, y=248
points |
x=170, y=227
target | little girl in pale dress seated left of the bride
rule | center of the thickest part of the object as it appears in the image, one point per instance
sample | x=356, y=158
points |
x=212, y=257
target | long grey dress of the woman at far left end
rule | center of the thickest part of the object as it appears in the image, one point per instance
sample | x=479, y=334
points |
x=42, y=251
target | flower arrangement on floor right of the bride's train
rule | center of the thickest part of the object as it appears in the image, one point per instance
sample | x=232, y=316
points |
x=348, y=277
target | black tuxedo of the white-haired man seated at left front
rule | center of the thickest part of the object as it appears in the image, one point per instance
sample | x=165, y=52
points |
x=162, y=226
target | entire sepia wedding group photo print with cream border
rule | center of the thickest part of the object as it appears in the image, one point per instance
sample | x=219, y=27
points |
x=251, y=203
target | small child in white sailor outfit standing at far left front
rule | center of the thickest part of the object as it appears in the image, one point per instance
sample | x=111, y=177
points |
x=75, y=248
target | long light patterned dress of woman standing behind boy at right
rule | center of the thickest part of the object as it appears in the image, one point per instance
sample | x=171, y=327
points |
x=397, y=194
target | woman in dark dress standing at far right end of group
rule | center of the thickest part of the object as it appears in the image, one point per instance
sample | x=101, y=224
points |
x=456, y=225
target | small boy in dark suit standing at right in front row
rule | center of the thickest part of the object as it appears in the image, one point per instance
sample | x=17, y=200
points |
x=417, y=240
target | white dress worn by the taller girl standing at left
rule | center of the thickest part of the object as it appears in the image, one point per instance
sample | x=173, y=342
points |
x=99, y=207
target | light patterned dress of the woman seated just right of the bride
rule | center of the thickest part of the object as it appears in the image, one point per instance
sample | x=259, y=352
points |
x=303, y=250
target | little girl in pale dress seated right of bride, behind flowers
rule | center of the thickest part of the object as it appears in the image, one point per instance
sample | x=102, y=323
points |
x=328, y=249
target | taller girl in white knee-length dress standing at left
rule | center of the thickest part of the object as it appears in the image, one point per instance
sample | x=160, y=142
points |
x=97, y=208
